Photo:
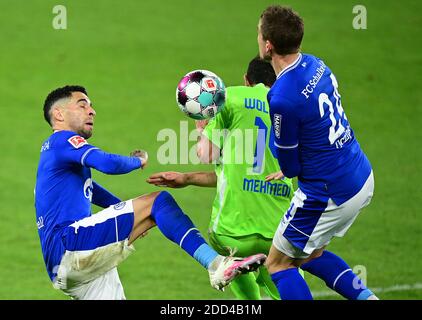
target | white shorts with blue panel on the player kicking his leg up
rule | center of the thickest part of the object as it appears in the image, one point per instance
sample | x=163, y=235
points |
x=94, y=247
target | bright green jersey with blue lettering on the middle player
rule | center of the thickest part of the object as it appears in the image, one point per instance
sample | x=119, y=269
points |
x=245, y=204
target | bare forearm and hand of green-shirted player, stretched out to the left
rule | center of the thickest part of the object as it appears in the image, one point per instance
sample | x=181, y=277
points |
x=181, y=180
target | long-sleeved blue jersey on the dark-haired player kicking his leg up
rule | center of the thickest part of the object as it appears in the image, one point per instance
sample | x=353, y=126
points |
x=64, y=188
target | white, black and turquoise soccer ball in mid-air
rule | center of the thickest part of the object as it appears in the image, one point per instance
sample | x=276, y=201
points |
x=201, y=94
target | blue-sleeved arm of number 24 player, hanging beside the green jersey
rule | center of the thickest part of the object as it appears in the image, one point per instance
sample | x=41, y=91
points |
x=285, y=122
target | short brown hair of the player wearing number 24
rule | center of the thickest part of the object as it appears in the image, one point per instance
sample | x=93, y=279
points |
x=283, y=28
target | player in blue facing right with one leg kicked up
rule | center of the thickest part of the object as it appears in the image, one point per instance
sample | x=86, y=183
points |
x=81, y=251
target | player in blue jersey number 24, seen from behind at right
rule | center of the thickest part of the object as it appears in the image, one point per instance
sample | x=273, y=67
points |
x=316, y=144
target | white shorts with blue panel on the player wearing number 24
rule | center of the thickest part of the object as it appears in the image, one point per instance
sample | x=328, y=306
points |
x=310, y=223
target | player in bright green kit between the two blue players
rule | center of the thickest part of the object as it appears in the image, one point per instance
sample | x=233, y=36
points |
x=252, y=193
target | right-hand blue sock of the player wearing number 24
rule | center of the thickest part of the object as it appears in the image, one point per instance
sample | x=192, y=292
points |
x=338, y=276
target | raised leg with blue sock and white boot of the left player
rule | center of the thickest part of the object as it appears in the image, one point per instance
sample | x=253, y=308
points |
x=161, y=209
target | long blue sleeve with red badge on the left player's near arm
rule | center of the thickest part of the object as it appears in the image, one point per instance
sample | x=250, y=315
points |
x=74, y=149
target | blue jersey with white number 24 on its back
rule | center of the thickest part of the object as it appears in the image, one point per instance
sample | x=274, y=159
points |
x=313, y=137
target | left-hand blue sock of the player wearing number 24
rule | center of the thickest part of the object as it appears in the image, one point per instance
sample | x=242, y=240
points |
x=291, y=285
